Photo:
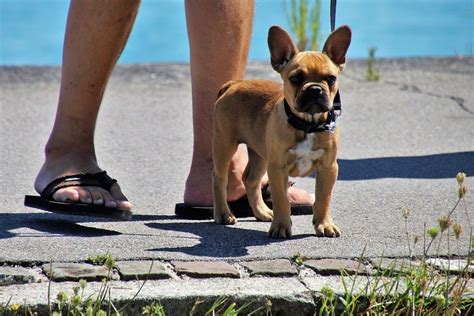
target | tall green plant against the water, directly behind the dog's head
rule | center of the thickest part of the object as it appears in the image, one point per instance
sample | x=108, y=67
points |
x=305, y=23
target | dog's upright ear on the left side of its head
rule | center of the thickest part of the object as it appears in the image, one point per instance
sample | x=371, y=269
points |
x=282, y=48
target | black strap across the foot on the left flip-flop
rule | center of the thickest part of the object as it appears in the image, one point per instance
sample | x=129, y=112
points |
x=100, y=179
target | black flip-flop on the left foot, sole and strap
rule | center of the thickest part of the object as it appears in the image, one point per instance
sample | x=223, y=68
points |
x=101, y=179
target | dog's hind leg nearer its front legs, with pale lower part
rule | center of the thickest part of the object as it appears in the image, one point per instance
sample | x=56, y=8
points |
x=252, y=177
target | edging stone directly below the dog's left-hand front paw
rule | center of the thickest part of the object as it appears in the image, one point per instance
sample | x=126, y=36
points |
x=273, y=268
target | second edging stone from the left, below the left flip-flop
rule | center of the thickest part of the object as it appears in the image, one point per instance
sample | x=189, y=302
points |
x=75, y=271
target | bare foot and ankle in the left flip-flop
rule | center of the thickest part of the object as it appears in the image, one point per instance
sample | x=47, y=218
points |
x=57, y=166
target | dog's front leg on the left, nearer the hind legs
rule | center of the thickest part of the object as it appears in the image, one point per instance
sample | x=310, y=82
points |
x=278, y=178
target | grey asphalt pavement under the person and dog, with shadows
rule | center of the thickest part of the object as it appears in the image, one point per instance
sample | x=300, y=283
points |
x=403, y=139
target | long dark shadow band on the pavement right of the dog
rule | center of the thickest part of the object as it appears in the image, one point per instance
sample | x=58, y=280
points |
x=439, y=166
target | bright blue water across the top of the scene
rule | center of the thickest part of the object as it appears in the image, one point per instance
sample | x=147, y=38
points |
x=32, y=31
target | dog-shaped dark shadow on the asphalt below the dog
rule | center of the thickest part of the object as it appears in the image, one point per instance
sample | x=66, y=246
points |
x=219, y=240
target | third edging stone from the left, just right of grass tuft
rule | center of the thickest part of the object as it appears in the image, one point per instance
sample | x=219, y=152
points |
x=140, y=269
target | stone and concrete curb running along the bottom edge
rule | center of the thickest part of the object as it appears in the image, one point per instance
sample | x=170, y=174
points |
x=280, y=286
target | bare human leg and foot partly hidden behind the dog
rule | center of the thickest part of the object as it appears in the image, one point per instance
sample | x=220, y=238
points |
x=219, y=35
